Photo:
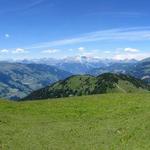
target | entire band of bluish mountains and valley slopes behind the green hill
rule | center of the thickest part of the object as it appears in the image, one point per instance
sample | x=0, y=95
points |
x=19, y=78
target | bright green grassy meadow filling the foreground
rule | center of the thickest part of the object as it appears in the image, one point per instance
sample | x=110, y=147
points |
x=112, y=121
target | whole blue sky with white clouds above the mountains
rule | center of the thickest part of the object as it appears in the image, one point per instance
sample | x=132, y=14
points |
x=116, y=29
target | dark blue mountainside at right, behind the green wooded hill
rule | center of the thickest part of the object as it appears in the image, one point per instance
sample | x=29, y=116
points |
x=137, y=69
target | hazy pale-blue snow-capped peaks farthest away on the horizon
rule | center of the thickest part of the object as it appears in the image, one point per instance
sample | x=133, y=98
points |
x=80, y=64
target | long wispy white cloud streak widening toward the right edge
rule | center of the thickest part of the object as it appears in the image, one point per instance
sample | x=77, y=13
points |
x=126, y=34
